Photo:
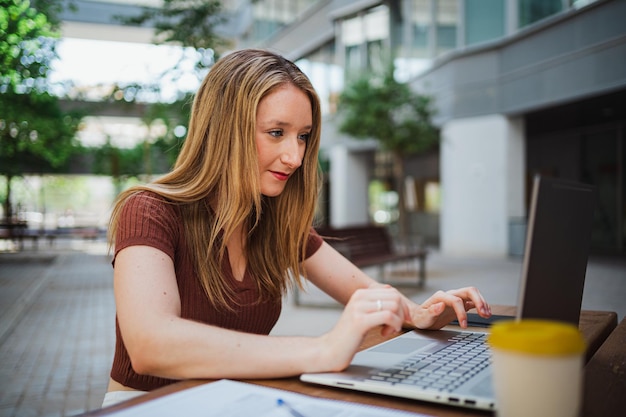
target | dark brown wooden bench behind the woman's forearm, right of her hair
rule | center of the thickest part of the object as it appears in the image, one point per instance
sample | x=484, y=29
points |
x=371, y=245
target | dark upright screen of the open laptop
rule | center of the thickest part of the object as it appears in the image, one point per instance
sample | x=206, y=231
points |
x=557, y=249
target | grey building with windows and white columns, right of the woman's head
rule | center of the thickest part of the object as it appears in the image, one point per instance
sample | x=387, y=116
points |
x=522, y=87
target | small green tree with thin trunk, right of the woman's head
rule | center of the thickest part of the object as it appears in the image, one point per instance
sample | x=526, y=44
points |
x=381, y=108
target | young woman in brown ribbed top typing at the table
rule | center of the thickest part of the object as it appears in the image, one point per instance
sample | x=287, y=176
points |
x=204, y=254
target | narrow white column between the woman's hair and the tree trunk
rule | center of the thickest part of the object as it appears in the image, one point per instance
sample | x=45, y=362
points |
x=348, y=178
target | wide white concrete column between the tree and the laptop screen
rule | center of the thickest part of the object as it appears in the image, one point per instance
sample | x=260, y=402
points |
x=482, y=176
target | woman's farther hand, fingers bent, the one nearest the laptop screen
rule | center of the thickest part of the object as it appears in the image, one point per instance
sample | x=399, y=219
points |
x=443, y=307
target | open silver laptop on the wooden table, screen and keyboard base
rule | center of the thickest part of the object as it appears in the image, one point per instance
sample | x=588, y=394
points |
x=453, y=367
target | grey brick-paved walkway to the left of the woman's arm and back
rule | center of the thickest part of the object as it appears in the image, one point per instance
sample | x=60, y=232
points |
x=56, y=332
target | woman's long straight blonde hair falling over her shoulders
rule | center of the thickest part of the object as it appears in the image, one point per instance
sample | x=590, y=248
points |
x=221, y=139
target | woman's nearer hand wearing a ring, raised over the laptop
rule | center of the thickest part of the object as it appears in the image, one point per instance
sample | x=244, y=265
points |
x=366, y=309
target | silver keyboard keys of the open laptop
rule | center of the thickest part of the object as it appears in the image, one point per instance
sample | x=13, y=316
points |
x=443, y=370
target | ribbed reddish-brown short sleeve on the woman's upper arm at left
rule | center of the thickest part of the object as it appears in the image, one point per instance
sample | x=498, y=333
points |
x=148, y=219
